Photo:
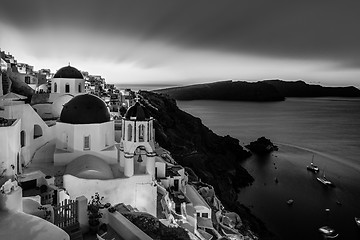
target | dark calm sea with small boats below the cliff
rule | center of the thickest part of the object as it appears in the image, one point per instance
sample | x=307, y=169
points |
x=327, y=129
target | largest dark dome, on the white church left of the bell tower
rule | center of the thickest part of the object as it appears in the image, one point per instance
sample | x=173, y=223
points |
x=85, y=109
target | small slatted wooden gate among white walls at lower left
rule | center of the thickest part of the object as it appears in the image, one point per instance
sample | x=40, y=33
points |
x=65, y=213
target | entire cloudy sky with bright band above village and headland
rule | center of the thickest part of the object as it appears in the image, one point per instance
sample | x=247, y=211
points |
x=188, y=41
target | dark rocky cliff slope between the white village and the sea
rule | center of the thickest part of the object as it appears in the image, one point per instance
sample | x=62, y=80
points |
x=215, y=159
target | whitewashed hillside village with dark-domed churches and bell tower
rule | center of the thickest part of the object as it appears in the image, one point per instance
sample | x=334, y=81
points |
x=79, y=160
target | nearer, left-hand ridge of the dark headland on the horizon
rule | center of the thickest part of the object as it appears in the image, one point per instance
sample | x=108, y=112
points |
x=225, y=90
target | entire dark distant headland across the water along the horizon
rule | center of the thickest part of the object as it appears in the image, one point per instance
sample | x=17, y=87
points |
x=267, y=90
